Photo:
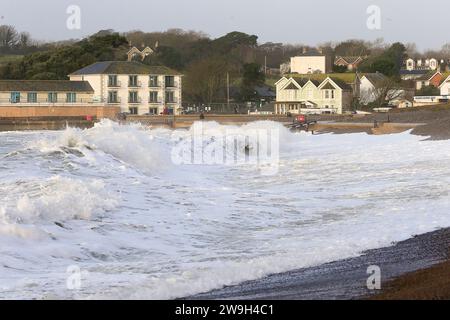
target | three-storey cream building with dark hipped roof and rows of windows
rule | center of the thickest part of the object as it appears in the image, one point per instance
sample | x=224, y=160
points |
x=136, y=87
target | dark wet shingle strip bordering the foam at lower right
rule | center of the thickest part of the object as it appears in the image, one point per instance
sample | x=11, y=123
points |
x=346, y=279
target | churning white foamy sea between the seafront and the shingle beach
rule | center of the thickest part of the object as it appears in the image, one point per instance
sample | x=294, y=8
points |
x=110, y=201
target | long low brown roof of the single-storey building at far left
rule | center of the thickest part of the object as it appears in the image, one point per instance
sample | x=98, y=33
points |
x=45, y=85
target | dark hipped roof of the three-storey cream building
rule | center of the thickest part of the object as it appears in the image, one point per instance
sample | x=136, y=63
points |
x=124, y=67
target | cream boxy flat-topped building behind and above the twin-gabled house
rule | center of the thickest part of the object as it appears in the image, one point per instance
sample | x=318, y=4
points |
x=311, y=62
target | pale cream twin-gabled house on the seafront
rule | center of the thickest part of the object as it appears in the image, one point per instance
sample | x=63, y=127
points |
x=307, y=96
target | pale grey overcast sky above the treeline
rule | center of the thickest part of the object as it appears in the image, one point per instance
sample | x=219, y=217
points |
x=289, y=21
